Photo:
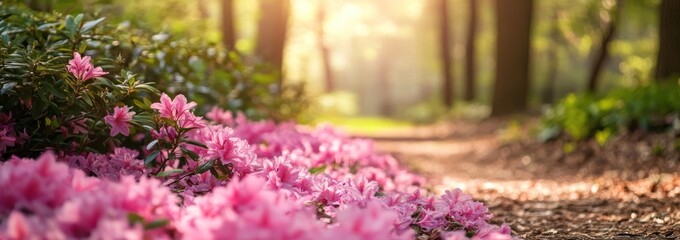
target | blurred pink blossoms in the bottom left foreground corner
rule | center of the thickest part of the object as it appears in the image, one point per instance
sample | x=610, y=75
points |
x=45, y=199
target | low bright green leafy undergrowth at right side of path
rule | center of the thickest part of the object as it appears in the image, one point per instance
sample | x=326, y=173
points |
x=651, y=107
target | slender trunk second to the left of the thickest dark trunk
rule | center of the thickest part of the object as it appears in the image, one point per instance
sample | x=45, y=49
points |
x=447, y=61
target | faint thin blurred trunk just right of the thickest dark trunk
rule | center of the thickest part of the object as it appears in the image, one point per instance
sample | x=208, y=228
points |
x=553, y=65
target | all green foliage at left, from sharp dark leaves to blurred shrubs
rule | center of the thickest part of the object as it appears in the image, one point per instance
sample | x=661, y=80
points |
x=48, y=102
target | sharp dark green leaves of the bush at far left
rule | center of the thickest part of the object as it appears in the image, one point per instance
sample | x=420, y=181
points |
x=42, y=100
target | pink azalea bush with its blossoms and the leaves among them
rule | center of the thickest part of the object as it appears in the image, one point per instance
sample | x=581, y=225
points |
x=218, y=177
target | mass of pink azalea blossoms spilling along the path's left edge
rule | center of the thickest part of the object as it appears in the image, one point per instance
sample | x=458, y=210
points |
x=285, y=181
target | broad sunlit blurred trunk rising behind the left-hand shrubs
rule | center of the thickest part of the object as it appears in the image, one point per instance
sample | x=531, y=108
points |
x=271, y=35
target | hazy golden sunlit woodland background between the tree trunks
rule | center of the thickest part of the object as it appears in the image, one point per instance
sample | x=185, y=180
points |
x=383, y=56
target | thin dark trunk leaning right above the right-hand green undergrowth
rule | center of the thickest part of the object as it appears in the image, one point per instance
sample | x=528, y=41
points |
x=603, y=51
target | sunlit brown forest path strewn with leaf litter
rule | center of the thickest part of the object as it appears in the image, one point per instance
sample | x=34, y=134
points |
x=628, y=189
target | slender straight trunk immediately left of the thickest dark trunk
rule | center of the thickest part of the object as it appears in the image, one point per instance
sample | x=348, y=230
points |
x=470, y=69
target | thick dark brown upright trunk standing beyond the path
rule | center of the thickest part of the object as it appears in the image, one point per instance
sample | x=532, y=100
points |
x=511, y=85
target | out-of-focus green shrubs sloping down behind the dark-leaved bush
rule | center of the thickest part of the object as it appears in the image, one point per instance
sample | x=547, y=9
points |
x=206, y=74
